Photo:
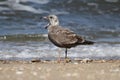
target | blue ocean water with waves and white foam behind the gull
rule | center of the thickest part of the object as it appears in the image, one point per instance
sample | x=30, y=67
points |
x=22, y=33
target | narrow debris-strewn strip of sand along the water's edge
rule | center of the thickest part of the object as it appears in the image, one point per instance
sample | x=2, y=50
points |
x=79, y=61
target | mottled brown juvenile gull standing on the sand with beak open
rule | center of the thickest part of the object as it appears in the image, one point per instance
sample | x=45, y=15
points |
x=62, y=37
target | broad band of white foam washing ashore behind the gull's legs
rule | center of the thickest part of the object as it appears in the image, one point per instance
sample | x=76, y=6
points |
x=40, y=50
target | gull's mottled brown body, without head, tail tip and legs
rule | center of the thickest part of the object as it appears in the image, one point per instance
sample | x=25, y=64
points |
x=62, y=37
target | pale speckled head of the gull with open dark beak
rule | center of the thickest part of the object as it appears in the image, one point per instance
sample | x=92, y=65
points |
x=53, y=20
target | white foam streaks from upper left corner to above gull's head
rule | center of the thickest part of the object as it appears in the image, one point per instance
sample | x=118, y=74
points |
x=16, y=5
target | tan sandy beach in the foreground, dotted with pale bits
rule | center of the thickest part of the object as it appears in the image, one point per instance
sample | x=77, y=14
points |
x=53, y=70
